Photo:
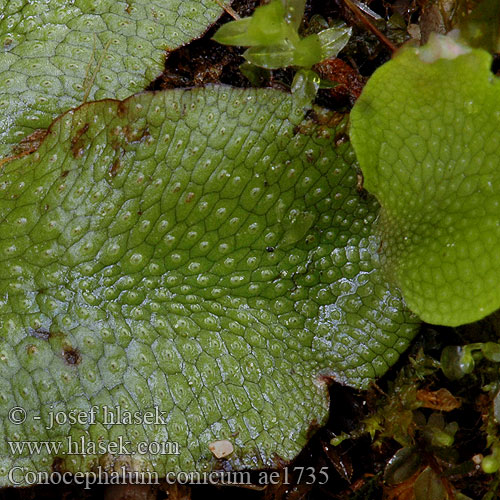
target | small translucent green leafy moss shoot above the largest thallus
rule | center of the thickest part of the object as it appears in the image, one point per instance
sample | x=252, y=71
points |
x=273, y=40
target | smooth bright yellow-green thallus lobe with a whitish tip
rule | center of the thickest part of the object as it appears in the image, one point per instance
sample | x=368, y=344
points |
x=426, y=134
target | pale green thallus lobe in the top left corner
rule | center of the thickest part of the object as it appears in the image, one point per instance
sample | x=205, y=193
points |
x=56, y=54
